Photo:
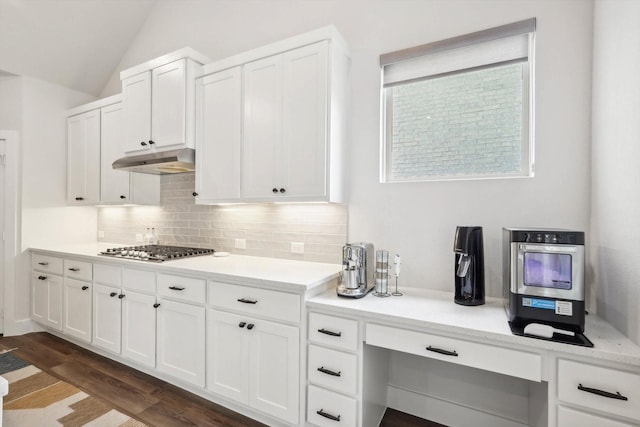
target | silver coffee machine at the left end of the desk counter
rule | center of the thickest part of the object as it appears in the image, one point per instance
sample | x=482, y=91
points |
x=357, y=270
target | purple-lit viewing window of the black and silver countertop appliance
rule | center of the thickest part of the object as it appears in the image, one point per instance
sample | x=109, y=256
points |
x=547, y=270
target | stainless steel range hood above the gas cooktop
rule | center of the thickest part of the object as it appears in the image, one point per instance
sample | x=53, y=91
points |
x=160, y=162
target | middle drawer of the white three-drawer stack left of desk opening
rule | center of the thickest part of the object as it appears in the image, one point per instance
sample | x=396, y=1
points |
x=333, y=369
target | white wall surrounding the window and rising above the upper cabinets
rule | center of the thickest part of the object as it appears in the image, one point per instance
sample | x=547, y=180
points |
x=418, y=220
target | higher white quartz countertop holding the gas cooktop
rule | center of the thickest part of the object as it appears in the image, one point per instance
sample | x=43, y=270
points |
x=289, y=275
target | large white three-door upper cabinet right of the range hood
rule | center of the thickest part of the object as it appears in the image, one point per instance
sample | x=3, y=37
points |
x=292, y=128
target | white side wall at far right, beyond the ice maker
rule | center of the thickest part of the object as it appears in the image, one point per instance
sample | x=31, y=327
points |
x=615, y=207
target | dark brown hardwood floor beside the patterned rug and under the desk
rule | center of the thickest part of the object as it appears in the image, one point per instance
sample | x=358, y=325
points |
x=141, y=396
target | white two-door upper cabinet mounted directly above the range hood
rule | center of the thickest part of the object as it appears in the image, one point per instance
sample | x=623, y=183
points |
x=158, y=98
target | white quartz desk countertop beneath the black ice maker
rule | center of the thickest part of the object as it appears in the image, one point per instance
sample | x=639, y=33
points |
x=435, y=311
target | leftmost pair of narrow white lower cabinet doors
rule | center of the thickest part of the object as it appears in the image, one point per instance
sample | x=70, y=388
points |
x=46, y=300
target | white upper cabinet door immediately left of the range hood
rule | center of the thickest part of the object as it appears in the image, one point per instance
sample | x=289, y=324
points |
x=114, y=184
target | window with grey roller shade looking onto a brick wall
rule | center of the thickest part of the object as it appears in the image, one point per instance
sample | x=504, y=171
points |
x=460, y=108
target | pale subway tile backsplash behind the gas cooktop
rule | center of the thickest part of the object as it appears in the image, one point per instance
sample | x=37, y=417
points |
x=268, y=229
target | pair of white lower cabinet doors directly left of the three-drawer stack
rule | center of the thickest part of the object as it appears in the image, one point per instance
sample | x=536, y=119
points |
x=254, y=362
